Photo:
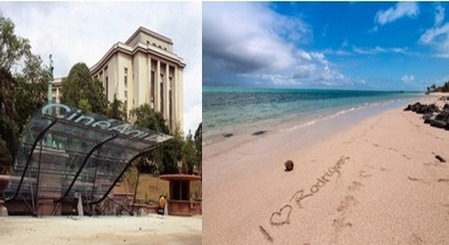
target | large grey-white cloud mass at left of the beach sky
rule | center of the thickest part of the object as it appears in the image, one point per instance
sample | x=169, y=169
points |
x=261, y=44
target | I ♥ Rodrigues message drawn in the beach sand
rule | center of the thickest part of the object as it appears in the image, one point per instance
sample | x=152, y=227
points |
x=282, y=217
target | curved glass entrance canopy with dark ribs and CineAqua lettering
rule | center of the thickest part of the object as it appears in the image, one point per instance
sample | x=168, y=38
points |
x=66, y=151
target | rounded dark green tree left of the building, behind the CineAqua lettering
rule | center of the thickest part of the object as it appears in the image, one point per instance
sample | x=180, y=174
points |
x=79, y=89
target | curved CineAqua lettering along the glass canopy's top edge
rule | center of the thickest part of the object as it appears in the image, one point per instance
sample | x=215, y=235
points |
x=76, y=116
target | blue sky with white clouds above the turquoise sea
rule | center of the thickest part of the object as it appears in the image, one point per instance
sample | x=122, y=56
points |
x=346, y=45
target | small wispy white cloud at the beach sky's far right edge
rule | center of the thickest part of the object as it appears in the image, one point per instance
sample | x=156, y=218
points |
x=438, y=35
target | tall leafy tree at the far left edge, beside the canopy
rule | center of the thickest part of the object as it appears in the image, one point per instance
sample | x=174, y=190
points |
x=21, y=93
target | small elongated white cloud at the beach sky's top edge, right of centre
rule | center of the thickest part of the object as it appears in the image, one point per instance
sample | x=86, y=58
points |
x=401, y=9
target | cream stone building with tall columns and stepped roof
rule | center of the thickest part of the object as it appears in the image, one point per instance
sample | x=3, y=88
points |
x=142, y=70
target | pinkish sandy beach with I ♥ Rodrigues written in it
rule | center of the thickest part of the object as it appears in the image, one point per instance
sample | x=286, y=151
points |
x=371, y=180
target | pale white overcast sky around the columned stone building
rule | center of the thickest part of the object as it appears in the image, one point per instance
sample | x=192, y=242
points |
x=84, y=31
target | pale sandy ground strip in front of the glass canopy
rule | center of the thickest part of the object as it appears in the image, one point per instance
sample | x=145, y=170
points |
x=149, y=229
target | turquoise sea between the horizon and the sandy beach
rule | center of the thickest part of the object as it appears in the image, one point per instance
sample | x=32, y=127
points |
x=236, y=110
